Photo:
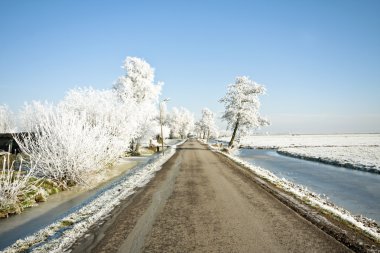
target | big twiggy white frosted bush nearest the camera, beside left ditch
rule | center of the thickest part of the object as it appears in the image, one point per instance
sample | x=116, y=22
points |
x=68, y=144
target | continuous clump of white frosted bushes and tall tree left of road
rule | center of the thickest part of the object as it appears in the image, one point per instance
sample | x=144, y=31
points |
x=90, y=129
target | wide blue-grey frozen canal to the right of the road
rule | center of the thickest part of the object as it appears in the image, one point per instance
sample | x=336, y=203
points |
x=356, y=191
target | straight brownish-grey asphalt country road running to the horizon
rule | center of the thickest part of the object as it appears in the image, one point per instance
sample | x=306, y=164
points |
x=198, y=203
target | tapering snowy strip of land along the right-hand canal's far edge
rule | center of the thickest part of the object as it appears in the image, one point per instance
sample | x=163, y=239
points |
x=365, y=158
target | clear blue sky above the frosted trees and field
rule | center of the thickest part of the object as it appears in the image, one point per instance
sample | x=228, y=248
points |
x=320, y=60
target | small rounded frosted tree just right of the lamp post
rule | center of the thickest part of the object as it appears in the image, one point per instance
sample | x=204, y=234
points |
x=181, y=122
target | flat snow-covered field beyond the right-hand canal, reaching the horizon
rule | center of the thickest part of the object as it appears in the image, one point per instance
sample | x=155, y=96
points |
x=356, y=151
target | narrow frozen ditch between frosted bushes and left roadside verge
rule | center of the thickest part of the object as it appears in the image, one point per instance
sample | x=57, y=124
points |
x=61, y=204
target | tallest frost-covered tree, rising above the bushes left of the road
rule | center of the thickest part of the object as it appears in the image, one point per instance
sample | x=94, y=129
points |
x=138, y=86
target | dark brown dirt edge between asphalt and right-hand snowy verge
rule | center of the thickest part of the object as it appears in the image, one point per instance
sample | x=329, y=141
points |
x=354, y=239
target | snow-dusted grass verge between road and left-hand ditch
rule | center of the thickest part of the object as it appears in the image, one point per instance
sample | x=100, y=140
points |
x=60, y=235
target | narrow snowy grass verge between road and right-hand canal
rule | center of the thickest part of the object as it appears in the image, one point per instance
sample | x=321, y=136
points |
x=367, y=225
